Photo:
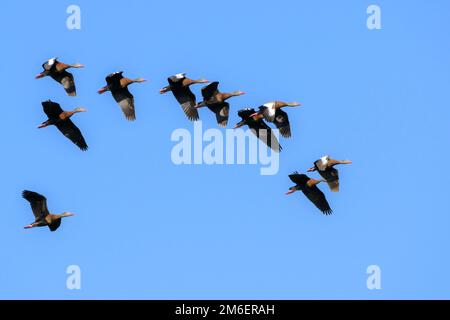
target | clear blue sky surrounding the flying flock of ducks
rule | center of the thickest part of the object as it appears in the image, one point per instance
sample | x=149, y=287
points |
x=147, y=229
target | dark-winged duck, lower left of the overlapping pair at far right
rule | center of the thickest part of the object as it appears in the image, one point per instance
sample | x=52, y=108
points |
x=309, y=188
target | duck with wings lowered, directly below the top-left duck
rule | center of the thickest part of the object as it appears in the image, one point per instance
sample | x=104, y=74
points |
x=61, y=119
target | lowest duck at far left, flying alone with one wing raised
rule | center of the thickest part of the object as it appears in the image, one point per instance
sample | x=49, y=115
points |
x=42, y=216
